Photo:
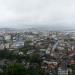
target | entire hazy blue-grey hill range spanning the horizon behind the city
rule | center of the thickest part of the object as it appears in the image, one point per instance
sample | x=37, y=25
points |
x=39, y=28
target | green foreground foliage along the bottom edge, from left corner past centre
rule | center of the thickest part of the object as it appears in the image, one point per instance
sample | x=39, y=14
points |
x=19, y=69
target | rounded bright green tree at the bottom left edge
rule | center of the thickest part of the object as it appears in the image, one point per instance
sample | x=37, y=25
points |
x=14, y=69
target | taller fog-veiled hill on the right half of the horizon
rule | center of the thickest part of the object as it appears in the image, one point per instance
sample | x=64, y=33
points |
x=52, y=28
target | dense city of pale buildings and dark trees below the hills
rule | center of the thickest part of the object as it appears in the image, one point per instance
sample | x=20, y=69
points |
x=37, y=53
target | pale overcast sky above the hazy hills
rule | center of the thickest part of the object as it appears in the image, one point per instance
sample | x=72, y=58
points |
x=34, y=12
